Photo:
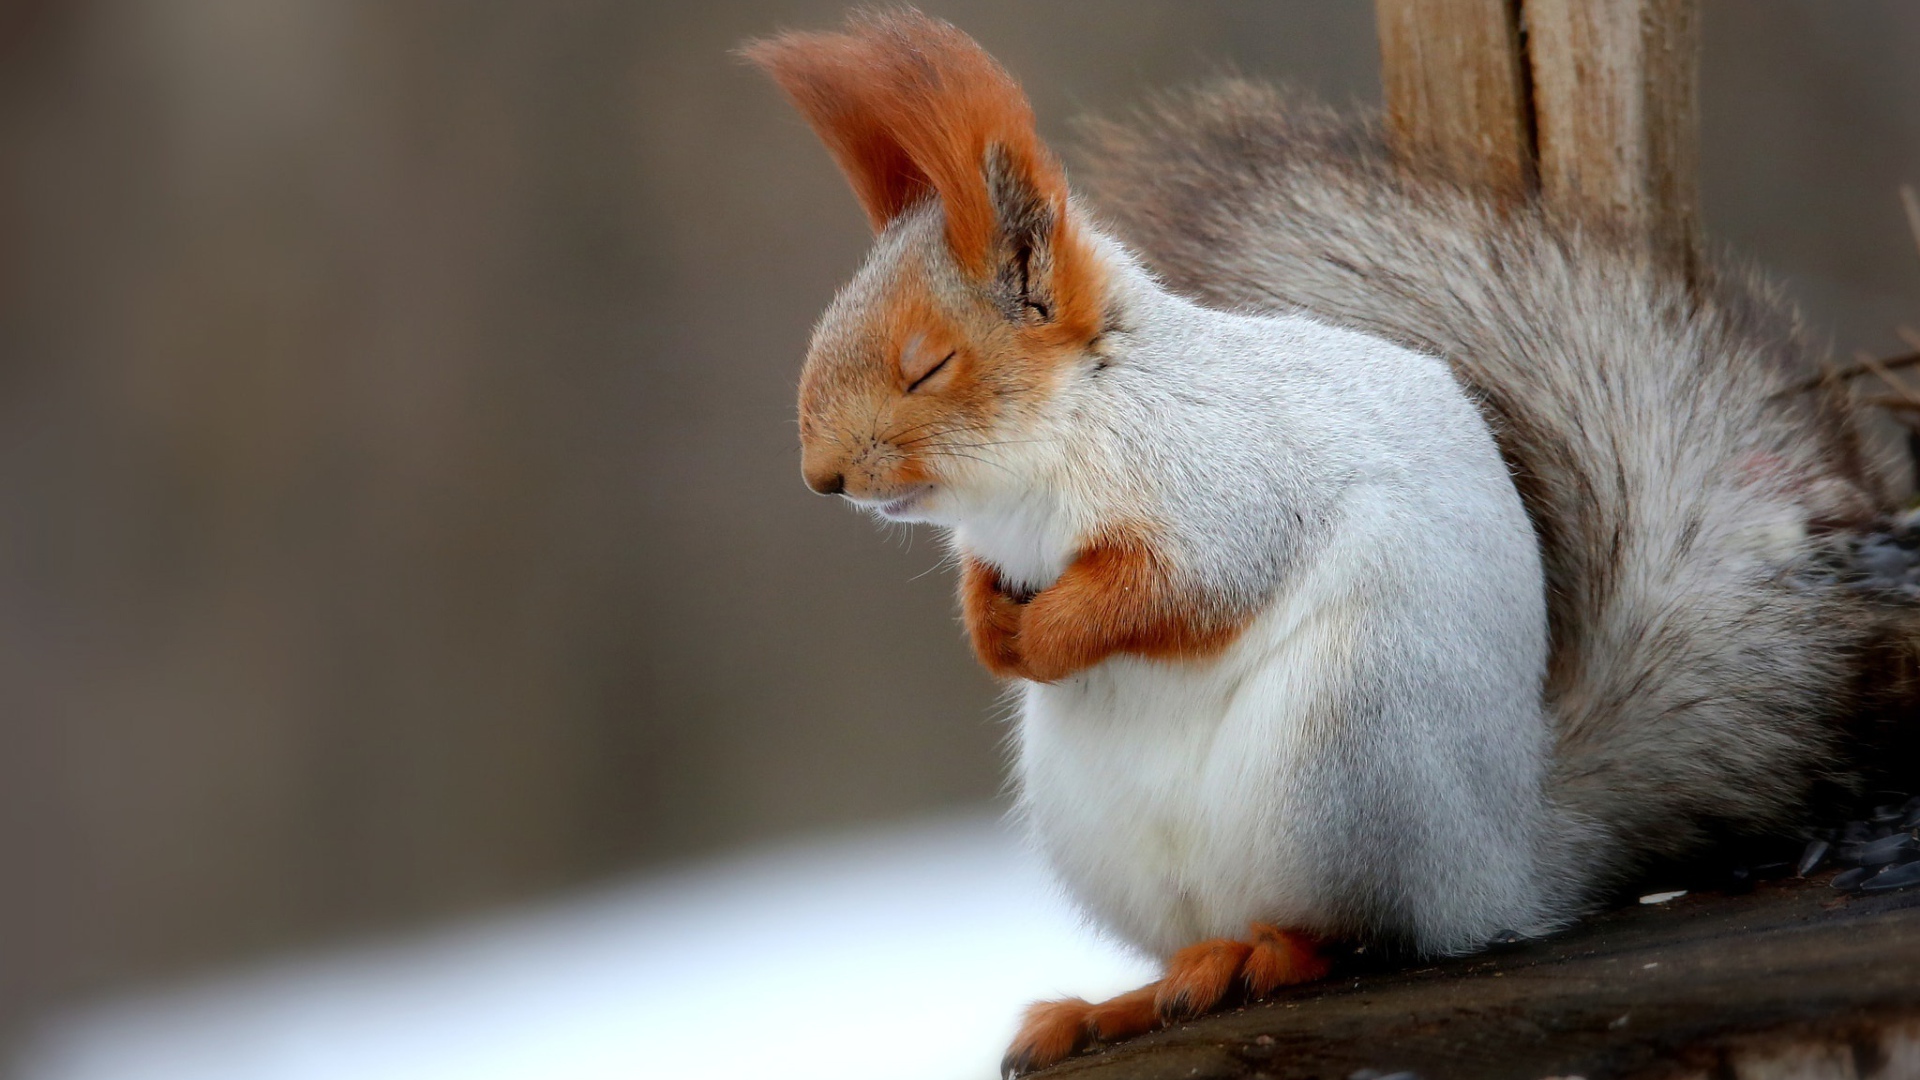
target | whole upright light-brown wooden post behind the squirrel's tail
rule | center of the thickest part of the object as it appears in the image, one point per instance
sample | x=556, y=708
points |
x=1591, y=103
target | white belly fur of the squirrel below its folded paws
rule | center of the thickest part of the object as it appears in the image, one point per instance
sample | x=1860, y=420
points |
x=1164, y=793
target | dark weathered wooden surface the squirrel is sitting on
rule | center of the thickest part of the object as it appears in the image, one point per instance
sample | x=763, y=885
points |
x=1706, y=987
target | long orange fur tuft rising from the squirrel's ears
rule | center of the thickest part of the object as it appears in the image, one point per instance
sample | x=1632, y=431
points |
x=909, y=107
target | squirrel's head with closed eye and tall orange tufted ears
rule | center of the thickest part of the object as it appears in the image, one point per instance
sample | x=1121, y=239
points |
x=984, y=291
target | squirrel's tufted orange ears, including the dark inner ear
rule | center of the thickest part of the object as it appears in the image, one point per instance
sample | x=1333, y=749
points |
x=915, y=109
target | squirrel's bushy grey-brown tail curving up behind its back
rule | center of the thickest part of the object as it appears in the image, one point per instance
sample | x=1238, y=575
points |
x=1692, y=501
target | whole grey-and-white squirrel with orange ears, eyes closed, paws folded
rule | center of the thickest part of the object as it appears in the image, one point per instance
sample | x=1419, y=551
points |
x=1376, y=560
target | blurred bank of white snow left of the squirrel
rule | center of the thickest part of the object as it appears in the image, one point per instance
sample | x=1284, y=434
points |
x=901, y=954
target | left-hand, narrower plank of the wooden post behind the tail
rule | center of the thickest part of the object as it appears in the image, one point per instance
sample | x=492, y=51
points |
x=1456, y=87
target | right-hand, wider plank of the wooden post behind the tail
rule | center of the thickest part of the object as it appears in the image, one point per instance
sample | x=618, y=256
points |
x=1616, y=110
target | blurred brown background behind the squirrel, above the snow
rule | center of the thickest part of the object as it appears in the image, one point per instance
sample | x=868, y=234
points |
x=398, y=501
